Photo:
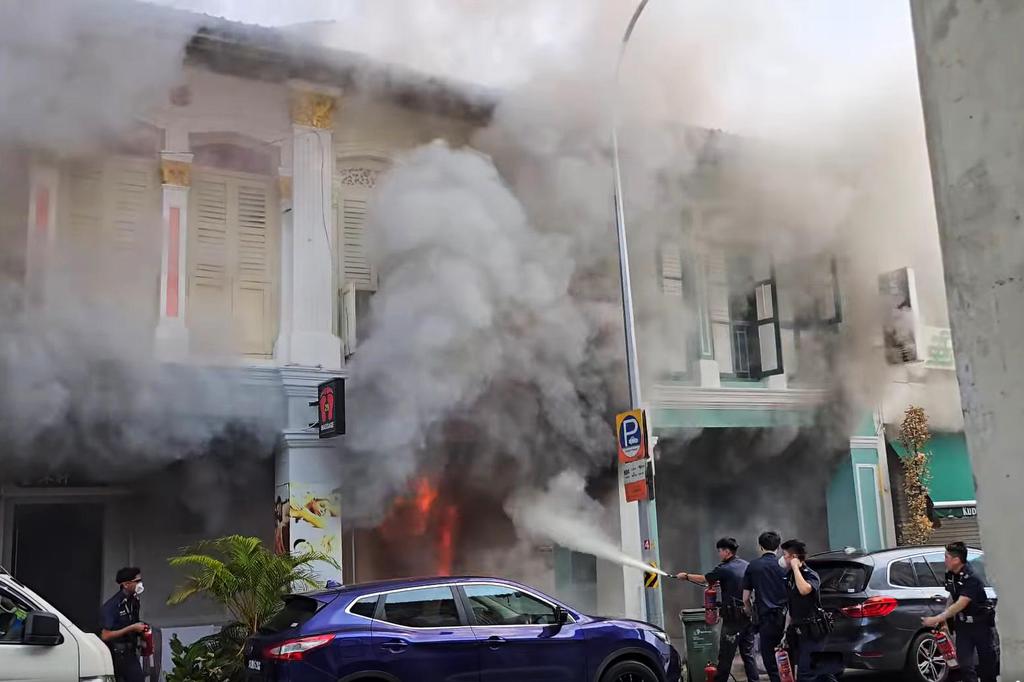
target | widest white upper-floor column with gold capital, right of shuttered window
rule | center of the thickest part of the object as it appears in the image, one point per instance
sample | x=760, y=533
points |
x=313, y=342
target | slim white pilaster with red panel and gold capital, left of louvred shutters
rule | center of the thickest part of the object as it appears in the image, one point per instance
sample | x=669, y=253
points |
x=173, y=335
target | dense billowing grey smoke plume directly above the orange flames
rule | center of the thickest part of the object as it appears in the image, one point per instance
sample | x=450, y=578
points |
x=476, y=322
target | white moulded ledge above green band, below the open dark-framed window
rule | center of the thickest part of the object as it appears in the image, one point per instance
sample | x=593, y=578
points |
x=667, y=397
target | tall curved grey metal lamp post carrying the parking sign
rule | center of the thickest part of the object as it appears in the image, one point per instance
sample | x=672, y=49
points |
x=648, y=509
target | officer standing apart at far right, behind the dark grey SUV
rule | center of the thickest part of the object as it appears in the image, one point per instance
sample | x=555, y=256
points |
x=974, y=618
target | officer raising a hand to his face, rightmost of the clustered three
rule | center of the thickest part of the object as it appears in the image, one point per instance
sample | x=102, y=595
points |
x=806, y=626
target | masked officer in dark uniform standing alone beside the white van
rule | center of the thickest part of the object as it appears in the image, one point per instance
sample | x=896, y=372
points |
x=122, y=628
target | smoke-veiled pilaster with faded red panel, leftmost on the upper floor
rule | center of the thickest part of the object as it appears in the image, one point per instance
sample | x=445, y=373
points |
x=45, y=183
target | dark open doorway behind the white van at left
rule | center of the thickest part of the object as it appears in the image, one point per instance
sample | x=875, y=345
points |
x=58, y=550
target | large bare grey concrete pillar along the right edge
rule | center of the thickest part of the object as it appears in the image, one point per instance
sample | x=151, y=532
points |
x=969, y=63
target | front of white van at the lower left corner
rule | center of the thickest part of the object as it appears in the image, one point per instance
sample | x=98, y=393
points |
x=37, y=643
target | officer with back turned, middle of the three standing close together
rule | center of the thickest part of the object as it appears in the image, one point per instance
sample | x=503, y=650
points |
x=765, y=600
